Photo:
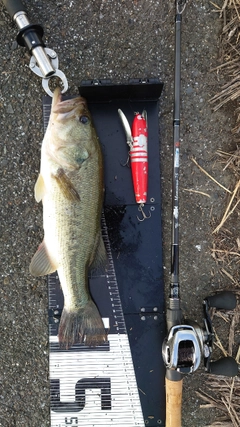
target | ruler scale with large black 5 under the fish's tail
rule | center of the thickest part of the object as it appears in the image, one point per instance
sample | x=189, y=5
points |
x=93, y=386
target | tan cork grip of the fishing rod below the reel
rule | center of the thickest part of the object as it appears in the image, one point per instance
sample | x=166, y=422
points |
x=173, y=403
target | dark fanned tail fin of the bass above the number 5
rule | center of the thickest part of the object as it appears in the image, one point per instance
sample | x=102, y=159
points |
x=82, y=326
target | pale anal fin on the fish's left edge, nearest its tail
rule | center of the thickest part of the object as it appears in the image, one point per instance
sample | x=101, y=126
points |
x=41, y=263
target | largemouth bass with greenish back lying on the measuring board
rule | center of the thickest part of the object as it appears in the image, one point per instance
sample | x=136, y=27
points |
x=71, y=187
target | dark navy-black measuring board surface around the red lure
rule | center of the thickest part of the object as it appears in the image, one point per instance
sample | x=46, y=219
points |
x=136, y=247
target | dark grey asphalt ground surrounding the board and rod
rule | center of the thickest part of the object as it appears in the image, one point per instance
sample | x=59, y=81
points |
x=116, y=40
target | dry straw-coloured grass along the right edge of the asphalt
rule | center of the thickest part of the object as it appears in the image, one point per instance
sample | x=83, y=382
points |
x=221, y=392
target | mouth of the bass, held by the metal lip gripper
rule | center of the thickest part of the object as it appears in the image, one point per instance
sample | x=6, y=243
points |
x=68, y=106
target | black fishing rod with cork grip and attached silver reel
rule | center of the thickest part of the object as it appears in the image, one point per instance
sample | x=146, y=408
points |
x=186, y=343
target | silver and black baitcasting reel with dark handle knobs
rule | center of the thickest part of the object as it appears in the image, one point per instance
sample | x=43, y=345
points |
x=188, y=343
